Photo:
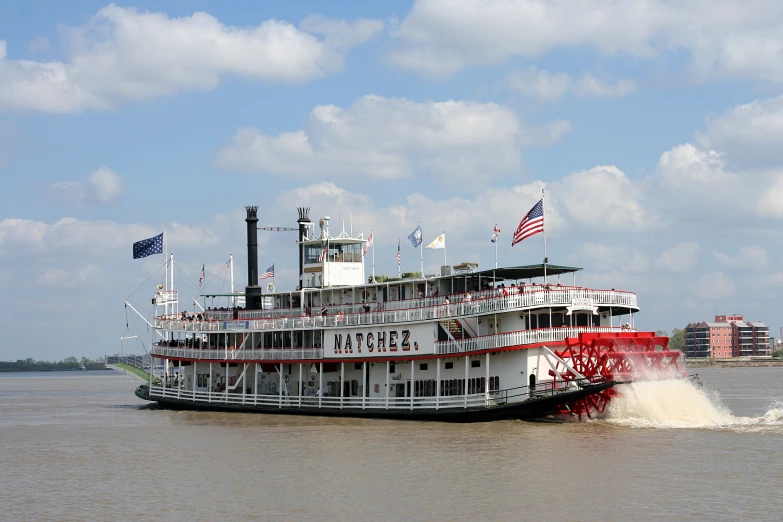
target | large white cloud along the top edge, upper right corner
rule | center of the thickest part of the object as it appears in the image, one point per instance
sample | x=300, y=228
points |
x=733, y=37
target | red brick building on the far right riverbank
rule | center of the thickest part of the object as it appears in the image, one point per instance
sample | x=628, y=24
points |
x=727, y=336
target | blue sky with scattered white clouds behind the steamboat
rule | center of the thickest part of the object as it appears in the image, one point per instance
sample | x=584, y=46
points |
x=654, y=126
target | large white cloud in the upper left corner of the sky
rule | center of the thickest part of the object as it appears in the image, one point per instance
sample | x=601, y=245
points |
x=124, y=54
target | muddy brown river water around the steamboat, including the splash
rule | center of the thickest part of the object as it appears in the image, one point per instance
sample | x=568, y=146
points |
x=81, y=446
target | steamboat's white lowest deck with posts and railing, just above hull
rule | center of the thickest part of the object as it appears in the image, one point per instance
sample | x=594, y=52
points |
x=437, y=384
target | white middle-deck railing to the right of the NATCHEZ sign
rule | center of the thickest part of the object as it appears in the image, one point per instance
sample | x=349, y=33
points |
x=541, y=335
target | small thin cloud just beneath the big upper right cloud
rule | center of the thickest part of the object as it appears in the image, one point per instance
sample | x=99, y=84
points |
x=546, y=86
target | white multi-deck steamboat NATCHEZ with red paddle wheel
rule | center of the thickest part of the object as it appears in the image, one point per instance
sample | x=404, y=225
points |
x=463, y=345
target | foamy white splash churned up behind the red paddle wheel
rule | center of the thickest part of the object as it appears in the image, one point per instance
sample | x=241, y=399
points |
x=677, y=403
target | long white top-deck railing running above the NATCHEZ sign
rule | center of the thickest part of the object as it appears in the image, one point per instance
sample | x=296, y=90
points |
x=518, y=301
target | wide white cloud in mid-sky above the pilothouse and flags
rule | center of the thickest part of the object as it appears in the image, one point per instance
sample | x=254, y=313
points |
x=378, y=137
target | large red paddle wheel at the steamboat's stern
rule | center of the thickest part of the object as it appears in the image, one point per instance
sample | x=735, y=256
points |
x=619, y=357
